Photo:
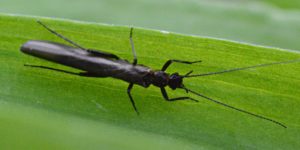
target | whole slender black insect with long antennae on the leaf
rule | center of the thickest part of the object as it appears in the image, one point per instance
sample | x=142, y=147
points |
x=102, y=64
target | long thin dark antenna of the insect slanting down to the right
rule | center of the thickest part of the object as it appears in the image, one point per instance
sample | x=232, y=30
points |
x=237, y=109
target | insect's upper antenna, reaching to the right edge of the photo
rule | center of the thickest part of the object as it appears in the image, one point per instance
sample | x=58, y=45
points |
x=243, y=68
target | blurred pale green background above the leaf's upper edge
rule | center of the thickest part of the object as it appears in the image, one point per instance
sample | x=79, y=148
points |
x=273, y=23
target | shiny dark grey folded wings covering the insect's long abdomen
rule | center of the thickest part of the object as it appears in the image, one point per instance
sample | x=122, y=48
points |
x=80, y=59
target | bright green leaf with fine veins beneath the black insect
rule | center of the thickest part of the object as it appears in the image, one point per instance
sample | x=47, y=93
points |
x=51, y=110
